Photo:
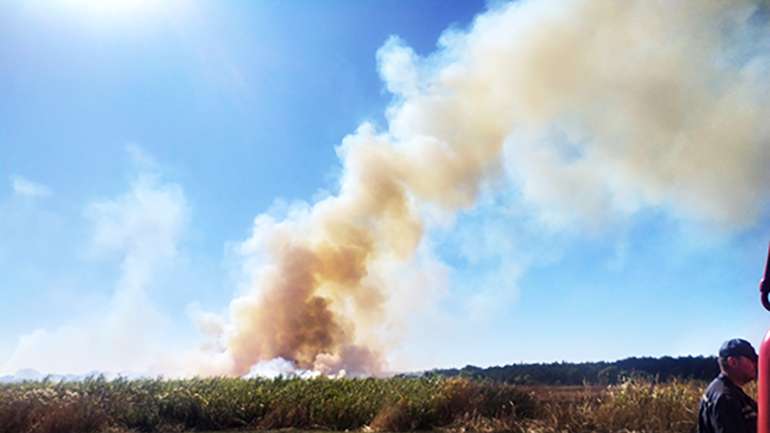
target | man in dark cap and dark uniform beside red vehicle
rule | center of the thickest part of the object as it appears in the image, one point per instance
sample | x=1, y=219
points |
x=725, y=408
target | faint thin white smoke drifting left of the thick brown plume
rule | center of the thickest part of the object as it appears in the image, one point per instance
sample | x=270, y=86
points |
x=141, y=228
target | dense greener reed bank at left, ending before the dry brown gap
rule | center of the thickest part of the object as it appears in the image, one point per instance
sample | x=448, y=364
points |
x=397, y=404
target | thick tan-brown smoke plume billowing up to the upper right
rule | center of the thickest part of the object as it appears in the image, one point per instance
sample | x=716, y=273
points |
x=593, y=107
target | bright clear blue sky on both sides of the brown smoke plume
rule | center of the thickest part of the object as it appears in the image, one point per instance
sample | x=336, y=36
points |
x=137, y=146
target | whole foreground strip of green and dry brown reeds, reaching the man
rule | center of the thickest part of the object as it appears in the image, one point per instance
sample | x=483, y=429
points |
x=396, y=404
